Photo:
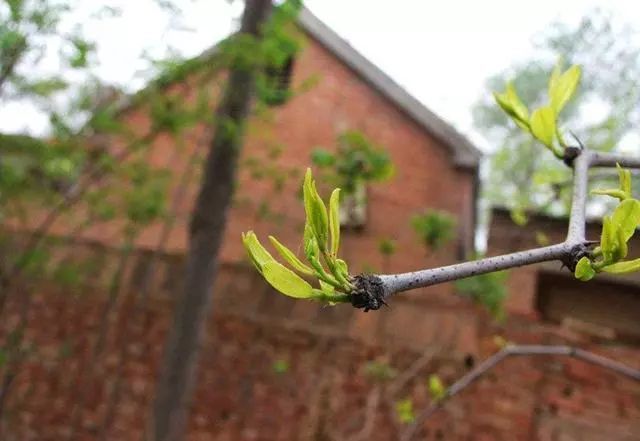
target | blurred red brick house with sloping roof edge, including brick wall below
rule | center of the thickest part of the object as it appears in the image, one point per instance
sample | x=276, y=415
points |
x=277, y=369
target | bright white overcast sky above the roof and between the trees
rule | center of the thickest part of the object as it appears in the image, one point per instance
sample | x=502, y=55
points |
x=440, y=51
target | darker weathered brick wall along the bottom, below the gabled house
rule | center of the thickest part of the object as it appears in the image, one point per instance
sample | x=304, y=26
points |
x=277, y=369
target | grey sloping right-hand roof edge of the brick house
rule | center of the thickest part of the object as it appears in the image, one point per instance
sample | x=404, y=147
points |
x=465, y=153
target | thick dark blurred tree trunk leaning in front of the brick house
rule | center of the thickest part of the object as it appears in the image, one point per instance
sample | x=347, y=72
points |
x=178, y=373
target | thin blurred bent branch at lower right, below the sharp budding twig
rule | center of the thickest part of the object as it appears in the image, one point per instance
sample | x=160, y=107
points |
x=519, y=350
